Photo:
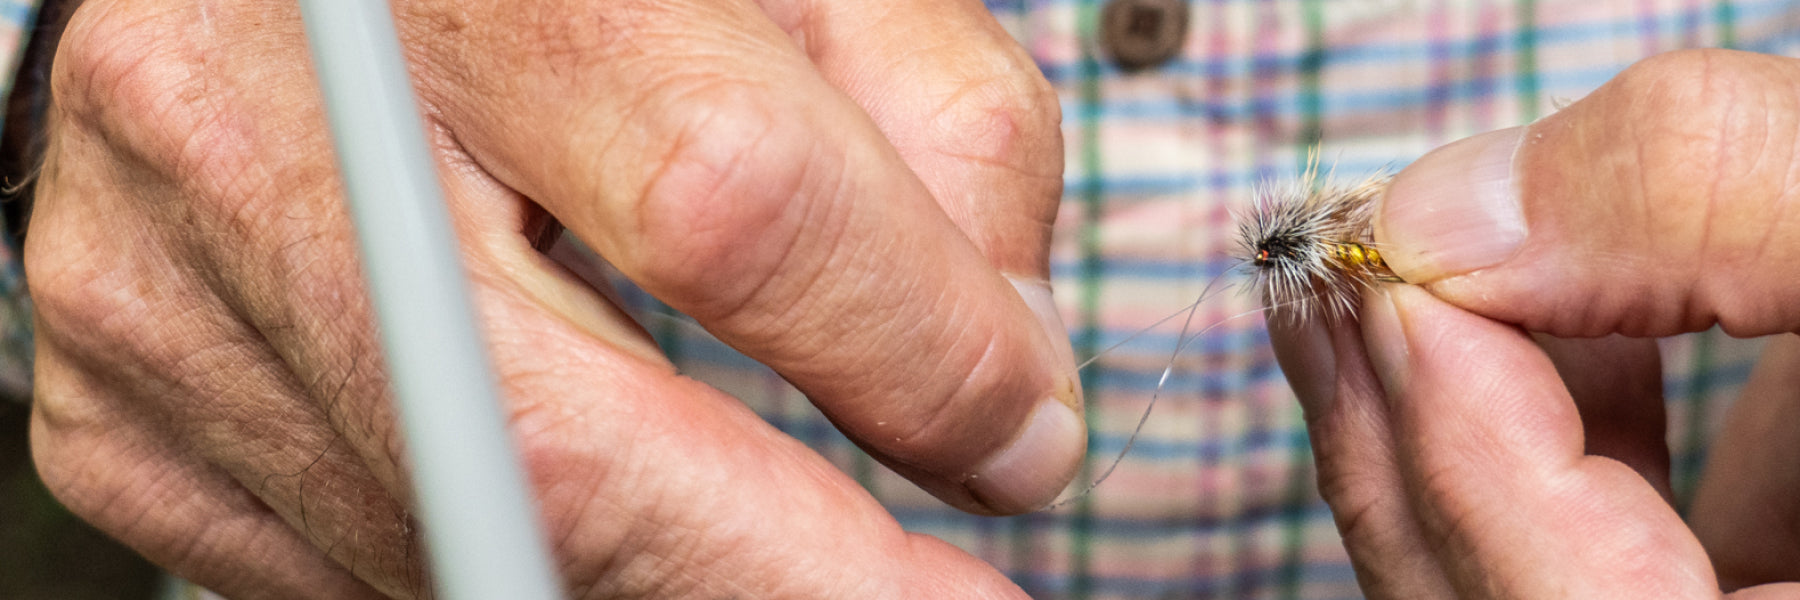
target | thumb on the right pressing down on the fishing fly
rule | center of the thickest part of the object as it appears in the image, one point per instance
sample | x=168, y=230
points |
x=1655, y=206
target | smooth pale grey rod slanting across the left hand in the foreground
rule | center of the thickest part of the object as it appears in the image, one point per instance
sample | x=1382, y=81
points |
x=480, y=529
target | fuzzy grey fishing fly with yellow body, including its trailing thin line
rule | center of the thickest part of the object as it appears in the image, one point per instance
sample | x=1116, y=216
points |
x=1311, y=250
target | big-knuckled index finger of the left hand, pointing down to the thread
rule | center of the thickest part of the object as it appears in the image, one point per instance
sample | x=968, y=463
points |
x=701, y=152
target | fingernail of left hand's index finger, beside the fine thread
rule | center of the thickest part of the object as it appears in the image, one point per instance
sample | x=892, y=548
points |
x=1036, y=468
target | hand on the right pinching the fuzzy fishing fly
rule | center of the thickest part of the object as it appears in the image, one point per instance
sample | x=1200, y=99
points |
x=1464, y=459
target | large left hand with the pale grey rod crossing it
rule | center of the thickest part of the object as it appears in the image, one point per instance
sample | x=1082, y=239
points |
x=859, y=197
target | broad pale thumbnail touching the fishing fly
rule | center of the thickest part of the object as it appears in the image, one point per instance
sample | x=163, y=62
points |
x=1455, y=210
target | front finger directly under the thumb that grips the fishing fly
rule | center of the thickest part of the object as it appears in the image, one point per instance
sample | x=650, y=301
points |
x=1491, y=450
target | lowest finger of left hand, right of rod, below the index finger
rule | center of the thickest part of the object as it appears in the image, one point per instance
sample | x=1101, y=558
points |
x=665, y=487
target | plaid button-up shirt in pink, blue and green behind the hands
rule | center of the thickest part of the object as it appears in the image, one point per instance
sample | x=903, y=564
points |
x=1218, y=498
